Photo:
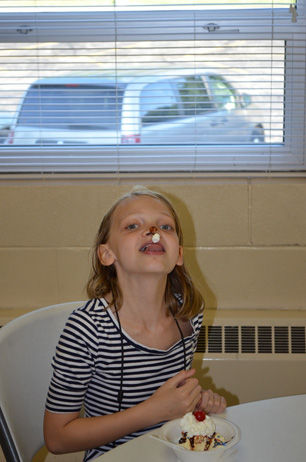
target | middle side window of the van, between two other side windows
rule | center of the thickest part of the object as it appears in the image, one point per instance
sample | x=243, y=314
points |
x=194, y=95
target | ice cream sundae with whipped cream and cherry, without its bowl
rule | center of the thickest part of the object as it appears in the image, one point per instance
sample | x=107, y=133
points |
x=199, y=432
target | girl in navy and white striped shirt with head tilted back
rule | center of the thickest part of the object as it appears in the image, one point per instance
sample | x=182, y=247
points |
x=126, y=355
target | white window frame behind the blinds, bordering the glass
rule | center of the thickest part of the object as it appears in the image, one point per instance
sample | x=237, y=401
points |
x=289, y=156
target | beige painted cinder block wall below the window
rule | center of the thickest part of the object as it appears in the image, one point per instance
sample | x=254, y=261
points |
x=245, y=239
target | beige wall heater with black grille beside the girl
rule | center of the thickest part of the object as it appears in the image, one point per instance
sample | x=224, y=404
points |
x=252, y=355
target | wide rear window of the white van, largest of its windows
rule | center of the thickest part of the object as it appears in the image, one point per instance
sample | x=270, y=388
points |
x=72, y=106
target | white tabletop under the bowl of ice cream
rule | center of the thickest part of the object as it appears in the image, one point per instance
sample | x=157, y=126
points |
x=272, y=430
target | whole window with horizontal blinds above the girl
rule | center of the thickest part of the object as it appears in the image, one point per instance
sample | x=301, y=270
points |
x=133, y=86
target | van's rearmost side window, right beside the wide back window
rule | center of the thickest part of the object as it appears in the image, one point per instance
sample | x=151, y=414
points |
x=158, y=103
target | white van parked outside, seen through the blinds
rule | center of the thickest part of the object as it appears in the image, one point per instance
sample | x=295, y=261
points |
x=153, y=109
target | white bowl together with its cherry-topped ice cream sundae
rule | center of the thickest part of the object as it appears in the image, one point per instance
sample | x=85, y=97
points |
x=207, y=440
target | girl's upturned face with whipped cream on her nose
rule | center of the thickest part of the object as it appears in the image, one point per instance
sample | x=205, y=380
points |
x=130, y=245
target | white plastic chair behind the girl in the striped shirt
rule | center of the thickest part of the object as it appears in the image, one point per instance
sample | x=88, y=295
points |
x=27, y=345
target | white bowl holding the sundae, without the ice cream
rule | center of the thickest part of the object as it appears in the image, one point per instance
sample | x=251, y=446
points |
x=170, y=433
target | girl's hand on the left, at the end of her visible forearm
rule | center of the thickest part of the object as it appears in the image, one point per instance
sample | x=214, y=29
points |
x=177, y=396
